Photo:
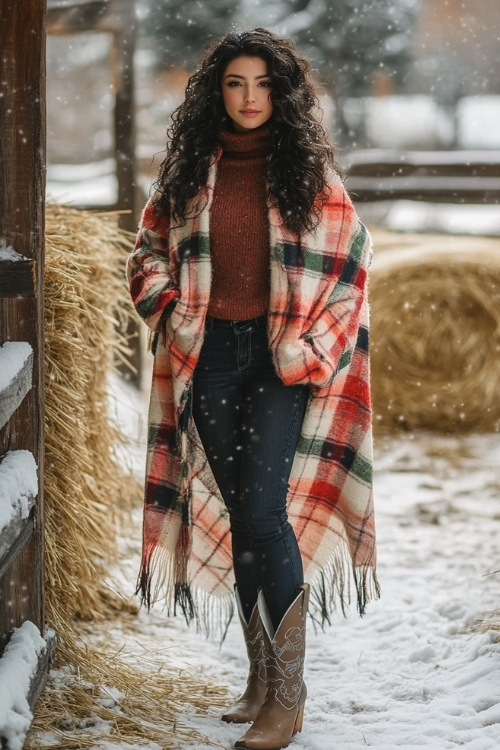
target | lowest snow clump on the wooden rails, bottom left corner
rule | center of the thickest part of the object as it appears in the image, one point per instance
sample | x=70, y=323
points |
x=18, y=667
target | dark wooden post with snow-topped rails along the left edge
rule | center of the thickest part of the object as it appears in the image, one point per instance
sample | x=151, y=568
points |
x=25, y=646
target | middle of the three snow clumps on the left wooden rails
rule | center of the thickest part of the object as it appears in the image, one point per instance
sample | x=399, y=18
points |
x=18, y=487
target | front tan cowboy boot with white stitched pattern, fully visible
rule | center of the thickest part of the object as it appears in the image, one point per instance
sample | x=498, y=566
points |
x=282, y=712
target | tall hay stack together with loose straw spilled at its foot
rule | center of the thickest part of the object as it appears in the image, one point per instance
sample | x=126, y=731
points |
x=86, y=492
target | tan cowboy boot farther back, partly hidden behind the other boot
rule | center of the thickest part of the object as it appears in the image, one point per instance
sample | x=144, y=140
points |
x=248, y=706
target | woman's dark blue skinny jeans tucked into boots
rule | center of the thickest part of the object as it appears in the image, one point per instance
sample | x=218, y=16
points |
x=249, y=423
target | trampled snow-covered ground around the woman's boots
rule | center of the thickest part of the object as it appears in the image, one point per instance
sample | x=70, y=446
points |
x=414, y=672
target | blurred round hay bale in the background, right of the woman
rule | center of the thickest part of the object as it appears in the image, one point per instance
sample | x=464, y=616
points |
x=435, y=310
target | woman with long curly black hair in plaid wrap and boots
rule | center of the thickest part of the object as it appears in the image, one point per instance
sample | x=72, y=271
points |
x=250, y=268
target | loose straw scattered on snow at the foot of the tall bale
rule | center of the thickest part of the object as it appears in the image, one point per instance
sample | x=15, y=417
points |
x=105, y=699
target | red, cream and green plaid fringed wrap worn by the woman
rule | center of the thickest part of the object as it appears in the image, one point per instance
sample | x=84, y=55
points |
x=318, y=335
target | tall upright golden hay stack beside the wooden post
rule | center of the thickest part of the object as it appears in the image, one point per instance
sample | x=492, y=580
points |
x=85, y=293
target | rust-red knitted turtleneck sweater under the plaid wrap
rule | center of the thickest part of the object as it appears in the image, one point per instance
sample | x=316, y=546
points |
x=239, y=232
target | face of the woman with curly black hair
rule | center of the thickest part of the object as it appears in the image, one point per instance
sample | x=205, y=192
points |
x=246, y=91
